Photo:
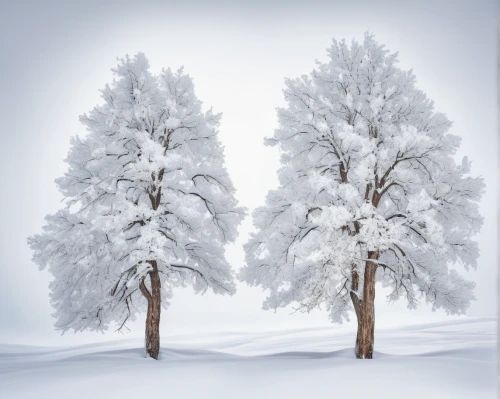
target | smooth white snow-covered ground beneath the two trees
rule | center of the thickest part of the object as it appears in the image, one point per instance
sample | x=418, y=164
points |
x=456, y=359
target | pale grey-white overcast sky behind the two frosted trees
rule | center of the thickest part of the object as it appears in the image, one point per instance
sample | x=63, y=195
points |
x=57, y=55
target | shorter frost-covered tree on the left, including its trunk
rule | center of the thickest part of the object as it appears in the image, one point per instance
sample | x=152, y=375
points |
x=149, y=206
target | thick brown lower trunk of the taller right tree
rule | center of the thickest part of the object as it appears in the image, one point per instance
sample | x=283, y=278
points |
x=366, y=318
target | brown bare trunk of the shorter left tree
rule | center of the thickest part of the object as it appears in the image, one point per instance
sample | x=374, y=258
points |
x=154, y=309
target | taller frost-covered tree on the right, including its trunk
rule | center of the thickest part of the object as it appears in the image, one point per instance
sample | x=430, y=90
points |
x=368, y=191
